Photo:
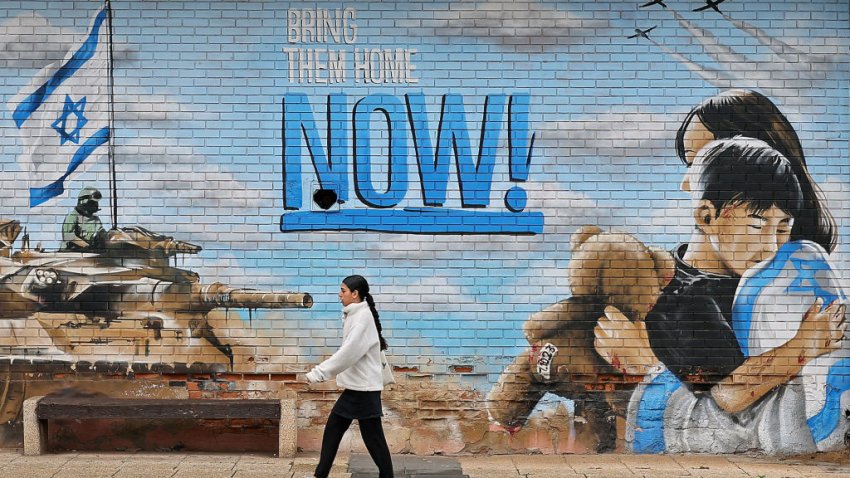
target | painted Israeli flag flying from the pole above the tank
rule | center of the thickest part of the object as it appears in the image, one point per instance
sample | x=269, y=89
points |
x=64, y=113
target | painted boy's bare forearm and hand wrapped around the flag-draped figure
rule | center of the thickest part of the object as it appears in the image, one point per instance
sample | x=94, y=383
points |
x=820, y=333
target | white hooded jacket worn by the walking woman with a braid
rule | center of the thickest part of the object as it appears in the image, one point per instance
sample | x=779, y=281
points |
x=357, y=363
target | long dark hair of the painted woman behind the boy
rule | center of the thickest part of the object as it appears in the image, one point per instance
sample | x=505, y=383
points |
x=751, y=114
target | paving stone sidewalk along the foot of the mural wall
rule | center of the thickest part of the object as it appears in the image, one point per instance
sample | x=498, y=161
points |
x=199, y=465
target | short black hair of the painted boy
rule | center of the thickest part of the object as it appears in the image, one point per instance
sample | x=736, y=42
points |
x=747, y=171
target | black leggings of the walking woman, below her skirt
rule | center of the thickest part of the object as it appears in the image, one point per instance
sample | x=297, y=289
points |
x=373, y=437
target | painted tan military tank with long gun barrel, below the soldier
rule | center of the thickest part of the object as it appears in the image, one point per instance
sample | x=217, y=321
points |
x=125, y=301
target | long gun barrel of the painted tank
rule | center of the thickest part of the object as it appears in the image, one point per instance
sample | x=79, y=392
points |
x=218, y=295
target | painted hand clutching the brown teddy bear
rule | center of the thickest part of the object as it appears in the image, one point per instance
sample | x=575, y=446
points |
x=624, y=344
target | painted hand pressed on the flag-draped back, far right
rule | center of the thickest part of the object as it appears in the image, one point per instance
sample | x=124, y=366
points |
x=821, y=331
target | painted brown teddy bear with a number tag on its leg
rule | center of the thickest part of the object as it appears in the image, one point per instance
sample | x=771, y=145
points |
x=605, y=269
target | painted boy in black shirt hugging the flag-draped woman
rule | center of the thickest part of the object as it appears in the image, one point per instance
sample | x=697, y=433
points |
x=704, y=390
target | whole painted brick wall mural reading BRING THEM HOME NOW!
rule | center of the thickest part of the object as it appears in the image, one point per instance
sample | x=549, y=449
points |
x=589, y=226
